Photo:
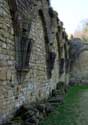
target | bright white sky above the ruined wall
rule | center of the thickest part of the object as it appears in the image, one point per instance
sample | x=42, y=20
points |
x=71, y=12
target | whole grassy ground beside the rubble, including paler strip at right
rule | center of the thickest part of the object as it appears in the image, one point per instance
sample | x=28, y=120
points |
x=74, y=111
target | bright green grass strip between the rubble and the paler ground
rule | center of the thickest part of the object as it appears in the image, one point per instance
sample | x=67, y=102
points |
x=67, y=113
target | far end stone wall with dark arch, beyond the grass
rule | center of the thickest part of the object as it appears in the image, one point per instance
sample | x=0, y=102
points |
x=78, y=61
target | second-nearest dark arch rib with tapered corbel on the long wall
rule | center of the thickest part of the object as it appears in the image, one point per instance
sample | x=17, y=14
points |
x=50, y=56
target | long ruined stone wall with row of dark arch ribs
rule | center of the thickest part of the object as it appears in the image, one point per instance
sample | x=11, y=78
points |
x=34, y=53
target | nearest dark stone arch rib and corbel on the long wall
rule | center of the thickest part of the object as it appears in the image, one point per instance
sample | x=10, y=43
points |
x=23, y=43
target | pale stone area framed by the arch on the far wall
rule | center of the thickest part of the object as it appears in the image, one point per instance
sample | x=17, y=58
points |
x=80, y=69
